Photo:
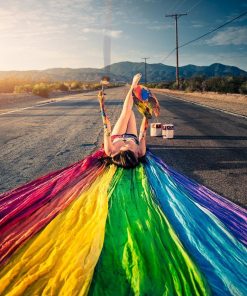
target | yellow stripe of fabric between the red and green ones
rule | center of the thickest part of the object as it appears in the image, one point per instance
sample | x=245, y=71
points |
x=60, y=260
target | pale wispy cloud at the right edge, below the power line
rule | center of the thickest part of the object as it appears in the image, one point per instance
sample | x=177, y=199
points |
x=230, y=36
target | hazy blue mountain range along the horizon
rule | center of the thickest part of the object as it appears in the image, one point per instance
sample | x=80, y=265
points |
x=124, y=71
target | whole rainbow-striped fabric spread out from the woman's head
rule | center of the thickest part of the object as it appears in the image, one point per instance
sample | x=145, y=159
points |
x=89, y=229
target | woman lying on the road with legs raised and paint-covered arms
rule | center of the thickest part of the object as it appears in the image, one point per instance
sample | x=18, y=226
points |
x=122, y=144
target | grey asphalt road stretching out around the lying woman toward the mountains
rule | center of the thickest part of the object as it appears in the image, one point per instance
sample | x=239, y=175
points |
x=209, y=146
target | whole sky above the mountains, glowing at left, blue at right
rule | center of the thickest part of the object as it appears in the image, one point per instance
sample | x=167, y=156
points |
x=37, y=34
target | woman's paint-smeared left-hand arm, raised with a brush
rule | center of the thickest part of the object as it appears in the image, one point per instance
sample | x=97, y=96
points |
x=106, y=124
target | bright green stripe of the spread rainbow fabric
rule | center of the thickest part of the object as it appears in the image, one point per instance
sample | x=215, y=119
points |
x=141, y=254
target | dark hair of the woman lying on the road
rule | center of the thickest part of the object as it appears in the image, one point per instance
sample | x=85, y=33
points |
x=125, y=159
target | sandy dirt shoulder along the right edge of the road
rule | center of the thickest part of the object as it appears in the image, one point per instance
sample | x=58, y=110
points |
x=234, y=103
